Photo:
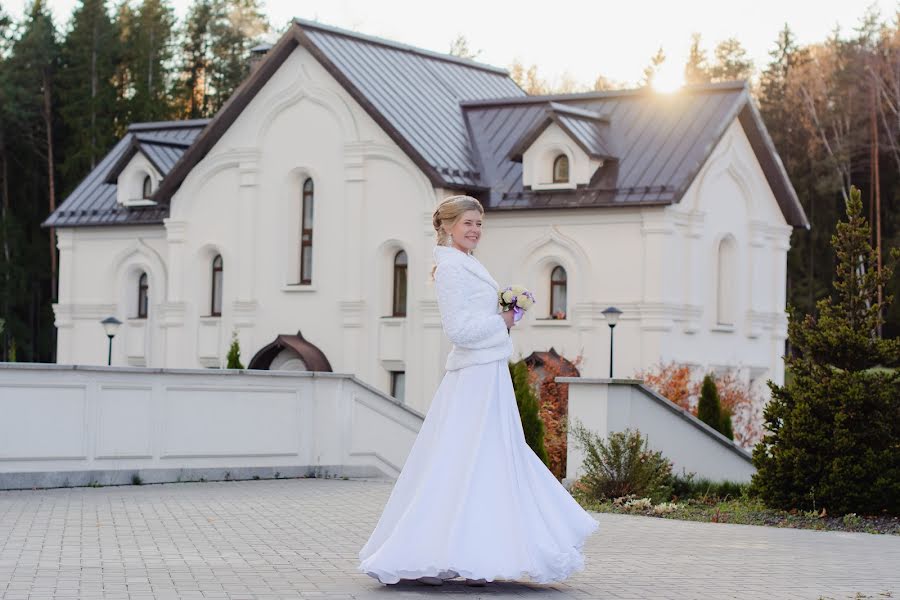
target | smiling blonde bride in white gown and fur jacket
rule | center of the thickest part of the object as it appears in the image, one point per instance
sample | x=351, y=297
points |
x=472, y=499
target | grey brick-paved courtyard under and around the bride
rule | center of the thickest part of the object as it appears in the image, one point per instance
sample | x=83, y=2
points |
x=299, y=538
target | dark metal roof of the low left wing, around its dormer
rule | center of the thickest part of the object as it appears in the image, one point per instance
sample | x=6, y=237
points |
x=93, y=202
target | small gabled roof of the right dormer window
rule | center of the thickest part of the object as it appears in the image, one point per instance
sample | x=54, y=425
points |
x=590, y=130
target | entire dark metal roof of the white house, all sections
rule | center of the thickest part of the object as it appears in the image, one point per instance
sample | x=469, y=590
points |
x=465, y=125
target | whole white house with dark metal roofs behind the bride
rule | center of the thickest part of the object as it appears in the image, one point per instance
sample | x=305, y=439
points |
x=300, y=217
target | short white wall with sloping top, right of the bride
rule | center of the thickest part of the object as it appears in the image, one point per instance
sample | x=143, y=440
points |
x=605, y=406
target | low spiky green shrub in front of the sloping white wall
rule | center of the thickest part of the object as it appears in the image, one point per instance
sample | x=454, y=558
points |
x=621, y=465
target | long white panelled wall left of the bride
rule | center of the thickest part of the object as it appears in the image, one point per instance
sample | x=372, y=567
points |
x=72, y=425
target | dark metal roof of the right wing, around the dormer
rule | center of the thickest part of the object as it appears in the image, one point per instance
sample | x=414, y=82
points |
x=661, y=143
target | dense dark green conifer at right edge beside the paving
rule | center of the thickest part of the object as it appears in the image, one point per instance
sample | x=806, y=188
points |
x=833, y=428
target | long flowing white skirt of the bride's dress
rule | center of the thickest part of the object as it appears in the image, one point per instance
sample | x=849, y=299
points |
x=472, y=498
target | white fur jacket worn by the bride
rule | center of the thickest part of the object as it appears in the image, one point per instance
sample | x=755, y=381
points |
x=470, y=313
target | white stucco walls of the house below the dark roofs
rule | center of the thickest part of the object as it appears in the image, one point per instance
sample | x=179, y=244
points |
x=242, y=200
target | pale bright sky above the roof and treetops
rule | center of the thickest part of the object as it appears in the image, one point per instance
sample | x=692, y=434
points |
x=579, y=39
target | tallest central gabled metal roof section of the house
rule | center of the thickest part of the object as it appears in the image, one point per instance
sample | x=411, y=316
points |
x=413, y=94
